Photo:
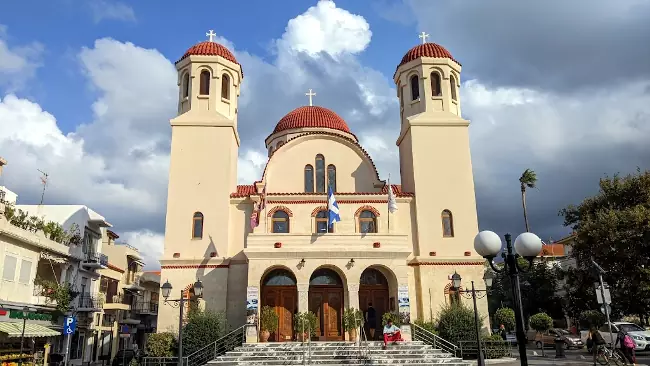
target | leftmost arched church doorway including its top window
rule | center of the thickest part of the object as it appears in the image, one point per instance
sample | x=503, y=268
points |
x=279, y=291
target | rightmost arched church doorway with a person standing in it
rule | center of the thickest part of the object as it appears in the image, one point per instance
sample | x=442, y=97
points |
x=373, y=288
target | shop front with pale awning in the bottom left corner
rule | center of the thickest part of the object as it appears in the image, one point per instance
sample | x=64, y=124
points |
x=36, y=328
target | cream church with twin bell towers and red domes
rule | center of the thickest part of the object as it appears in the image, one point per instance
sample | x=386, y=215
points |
x=269, y=242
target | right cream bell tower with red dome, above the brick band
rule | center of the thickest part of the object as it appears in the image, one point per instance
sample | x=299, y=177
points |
x=435, y=159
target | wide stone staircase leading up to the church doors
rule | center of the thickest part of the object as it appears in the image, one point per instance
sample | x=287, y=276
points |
x=336, y=353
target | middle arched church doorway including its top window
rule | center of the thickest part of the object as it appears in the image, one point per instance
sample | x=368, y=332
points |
x=326, y=301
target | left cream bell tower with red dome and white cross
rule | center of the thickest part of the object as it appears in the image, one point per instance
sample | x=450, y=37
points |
x=202, y=175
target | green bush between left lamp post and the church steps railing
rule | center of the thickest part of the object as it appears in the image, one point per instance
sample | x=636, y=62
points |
x=202, y=328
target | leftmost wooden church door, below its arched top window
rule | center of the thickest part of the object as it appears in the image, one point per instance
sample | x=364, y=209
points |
x=283, y=300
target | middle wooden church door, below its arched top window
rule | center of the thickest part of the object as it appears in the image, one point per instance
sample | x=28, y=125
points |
x=327, y=304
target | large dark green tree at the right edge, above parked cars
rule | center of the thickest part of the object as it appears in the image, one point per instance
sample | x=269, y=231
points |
x=613, y=228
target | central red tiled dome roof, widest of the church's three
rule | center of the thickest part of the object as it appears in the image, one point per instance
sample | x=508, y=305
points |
x=311, y=116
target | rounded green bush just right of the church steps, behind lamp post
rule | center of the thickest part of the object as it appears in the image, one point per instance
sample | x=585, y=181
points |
x=456, y=323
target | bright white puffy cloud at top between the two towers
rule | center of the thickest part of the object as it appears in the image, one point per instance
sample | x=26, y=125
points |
x=326, y=28
